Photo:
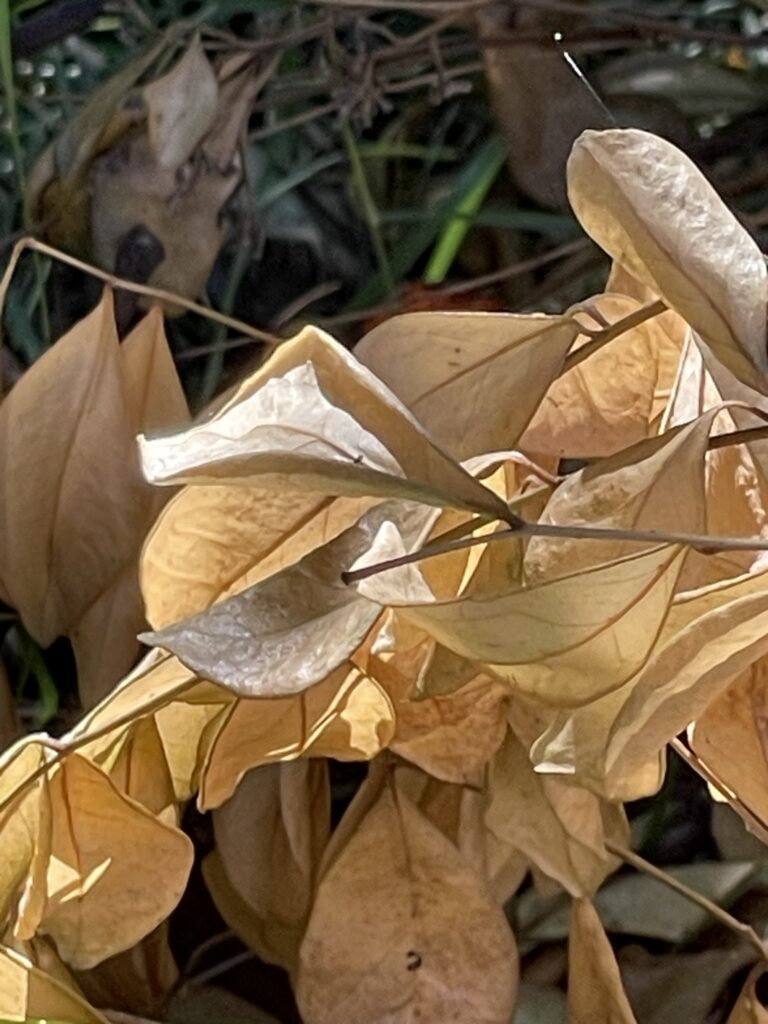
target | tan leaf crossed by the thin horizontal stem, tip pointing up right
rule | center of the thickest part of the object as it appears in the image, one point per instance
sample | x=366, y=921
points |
x=656, y=485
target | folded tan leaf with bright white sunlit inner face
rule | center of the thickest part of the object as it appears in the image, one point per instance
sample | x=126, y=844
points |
x=315, y=419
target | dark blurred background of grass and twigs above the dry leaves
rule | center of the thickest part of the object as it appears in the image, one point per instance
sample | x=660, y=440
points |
x=391, y=156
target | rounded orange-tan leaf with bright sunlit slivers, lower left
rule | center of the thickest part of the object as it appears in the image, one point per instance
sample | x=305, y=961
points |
x=116, y=872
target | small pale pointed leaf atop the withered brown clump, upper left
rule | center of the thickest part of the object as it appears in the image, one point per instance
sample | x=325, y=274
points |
x=182, y=107
